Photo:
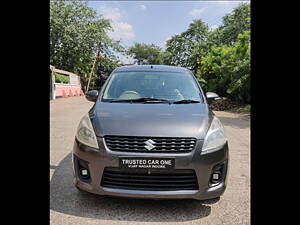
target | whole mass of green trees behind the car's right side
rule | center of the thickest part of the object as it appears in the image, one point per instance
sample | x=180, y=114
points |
x=219, y=58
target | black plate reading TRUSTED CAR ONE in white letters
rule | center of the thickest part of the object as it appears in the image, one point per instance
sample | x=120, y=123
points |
x=146, y=163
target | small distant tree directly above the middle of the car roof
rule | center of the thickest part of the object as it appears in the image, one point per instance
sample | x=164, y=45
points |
x=145, y=54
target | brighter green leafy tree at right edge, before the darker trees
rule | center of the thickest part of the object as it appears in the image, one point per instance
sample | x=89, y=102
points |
x=226, y=69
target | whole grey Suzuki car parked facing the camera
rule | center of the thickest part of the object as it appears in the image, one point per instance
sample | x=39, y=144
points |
x=151, y=134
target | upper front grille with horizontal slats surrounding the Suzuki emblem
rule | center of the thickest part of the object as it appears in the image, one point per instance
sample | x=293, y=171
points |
x=137, y=144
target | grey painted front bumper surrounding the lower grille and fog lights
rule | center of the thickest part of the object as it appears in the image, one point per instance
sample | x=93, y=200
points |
x=203, y=165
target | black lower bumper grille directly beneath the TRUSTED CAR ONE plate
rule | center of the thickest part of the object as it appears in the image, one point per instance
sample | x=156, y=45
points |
x=156, y=181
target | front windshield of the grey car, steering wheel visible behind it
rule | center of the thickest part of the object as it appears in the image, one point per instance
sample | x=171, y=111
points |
x=160, y=85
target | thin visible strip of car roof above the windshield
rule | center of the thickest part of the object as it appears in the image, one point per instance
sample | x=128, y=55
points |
x=156, y=68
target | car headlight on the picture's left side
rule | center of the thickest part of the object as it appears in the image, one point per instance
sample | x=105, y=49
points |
x=85, y=132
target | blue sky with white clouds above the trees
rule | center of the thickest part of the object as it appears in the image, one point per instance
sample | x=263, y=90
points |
x=154, y=22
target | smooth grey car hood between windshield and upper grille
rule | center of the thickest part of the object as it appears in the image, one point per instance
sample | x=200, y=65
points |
x=151, y=120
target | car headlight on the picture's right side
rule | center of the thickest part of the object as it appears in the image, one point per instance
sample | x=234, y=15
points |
x=215, y=137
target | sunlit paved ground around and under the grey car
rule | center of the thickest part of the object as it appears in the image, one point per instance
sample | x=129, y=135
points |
x=68, y=206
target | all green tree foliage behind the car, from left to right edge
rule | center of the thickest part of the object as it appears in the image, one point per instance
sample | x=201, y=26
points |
x=219, y=58
